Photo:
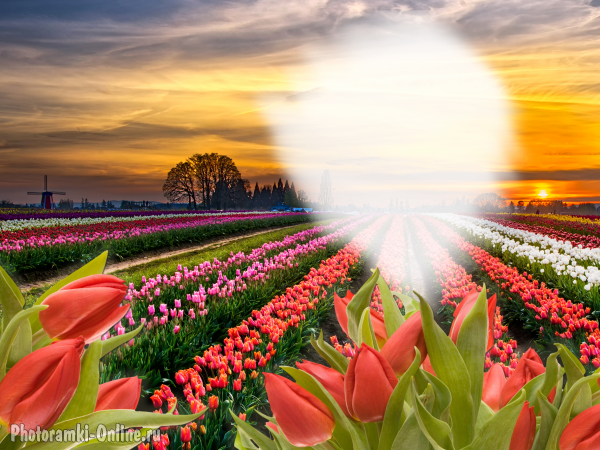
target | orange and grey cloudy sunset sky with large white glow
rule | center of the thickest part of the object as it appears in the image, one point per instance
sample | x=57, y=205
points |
x=412, y=99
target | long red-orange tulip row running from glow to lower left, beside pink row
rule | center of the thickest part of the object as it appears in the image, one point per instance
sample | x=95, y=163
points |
x=233, y=369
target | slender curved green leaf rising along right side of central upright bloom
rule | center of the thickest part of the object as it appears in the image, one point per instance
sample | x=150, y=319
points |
x=393, y=418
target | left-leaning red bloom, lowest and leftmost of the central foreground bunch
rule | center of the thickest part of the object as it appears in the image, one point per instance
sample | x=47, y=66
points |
x=303, y=418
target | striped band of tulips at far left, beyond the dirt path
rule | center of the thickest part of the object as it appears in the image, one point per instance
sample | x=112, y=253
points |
x=40, y=242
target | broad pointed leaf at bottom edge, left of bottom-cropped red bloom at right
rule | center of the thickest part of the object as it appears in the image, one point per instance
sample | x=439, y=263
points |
x=495, y=433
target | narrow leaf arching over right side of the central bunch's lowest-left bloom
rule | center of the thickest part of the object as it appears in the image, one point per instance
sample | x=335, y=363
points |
x=350, y=435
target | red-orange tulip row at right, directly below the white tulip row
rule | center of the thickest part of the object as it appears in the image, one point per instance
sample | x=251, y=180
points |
x=558, y=319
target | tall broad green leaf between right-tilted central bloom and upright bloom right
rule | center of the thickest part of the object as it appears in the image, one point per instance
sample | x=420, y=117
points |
x=452, y=371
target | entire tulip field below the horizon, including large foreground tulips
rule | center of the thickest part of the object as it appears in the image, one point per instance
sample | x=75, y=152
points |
x=212, y=353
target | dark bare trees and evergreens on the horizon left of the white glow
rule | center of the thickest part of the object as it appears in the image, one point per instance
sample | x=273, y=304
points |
x=212, y=181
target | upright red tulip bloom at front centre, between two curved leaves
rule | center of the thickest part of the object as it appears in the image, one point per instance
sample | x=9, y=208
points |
x=368, y=385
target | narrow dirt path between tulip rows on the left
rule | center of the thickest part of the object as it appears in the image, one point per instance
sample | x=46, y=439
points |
x=156, y=255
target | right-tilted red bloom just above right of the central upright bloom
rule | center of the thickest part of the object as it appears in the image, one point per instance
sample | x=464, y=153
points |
x=399, y=350
